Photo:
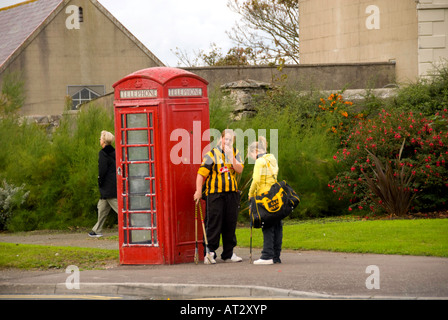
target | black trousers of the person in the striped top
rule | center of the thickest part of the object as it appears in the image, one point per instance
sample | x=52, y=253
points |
x=221, y=219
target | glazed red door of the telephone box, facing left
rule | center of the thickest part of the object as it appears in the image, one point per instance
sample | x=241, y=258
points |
x=137, y=186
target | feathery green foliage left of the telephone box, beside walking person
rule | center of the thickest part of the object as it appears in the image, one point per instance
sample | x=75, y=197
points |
x=60, y=172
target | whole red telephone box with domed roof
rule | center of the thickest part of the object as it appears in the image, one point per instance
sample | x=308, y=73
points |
x=161, y=128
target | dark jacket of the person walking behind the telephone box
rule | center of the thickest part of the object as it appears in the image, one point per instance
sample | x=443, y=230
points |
x=107, y=179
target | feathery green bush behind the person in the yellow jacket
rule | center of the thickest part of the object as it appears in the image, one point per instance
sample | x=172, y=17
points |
x=304, y=149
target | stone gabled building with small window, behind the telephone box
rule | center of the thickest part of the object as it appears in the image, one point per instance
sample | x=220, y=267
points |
x=63, y=48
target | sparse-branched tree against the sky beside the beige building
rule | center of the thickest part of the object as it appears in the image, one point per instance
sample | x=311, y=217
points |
x=270, y=28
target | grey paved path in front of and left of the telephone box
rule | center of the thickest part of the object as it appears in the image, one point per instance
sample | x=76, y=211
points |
x=302, y=275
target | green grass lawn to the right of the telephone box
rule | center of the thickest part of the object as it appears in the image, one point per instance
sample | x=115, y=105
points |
x=427, y=237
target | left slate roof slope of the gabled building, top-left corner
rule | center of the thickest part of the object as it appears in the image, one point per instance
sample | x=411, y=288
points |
x=18, y=23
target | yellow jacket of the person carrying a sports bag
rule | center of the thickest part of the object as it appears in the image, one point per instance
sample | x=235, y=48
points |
x=264, y=176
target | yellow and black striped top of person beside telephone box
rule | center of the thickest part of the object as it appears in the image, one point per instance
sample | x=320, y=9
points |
x=219, y=172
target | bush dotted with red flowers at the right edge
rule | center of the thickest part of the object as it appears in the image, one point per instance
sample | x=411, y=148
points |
x=423, y=142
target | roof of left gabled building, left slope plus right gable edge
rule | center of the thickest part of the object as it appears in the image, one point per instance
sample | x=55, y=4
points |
x=21, y=23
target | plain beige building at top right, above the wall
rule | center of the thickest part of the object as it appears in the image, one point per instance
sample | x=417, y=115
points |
x=411, y=33
